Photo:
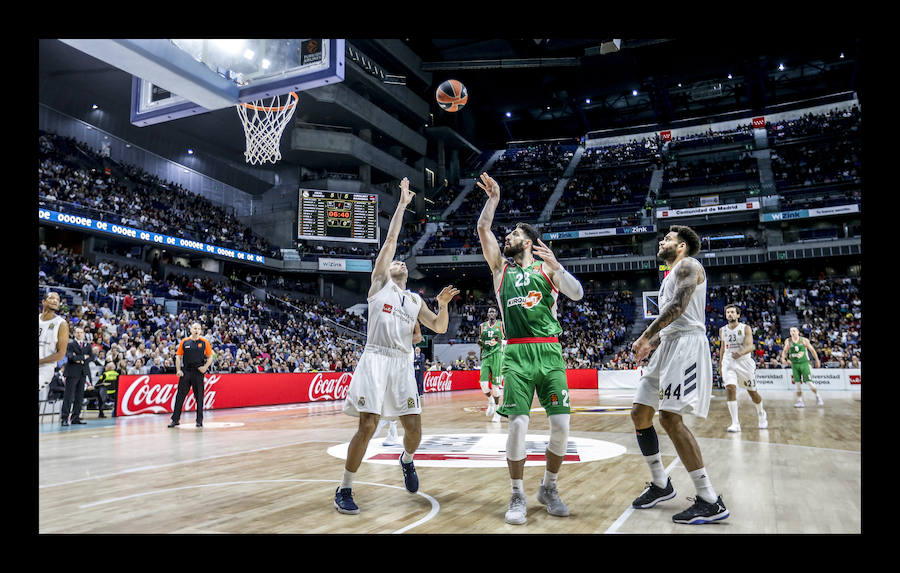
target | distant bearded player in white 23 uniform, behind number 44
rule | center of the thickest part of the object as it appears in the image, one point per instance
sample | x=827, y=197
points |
x=737, y=368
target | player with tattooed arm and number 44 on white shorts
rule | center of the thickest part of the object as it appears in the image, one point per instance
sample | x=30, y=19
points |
x=678, y=378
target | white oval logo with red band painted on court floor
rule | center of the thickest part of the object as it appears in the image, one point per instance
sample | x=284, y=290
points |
x=484, y=450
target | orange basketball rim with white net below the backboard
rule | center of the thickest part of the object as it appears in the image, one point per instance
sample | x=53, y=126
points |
x=263, y=125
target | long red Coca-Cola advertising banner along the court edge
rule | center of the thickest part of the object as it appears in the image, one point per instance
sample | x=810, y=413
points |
x=155, y=393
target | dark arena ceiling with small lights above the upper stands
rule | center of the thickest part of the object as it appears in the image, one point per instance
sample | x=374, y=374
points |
x=544, y=84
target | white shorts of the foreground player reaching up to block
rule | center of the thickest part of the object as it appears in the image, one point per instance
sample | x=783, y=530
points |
x=383, y=383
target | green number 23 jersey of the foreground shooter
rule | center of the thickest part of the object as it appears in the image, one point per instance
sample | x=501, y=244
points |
x=527, y=300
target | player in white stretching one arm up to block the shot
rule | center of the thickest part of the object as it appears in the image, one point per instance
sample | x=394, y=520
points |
x=384, y=382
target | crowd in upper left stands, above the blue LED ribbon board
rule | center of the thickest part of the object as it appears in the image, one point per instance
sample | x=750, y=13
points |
x=135, y=198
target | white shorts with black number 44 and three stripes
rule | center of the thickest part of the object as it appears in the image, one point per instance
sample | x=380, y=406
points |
x=678, y=378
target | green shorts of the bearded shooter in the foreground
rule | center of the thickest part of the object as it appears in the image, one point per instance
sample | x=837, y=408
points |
x=534, y=367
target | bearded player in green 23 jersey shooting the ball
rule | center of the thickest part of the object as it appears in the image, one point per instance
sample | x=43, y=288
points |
x=526, y=291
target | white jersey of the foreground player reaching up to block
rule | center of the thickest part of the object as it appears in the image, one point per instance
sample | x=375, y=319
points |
x=392, y=318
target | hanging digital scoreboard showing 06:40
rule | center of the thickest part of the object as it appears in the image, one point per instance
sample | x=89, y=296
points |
x=331, y=216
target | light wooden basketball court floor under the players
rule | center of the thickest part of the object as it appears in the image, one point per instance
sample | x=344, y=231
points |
x=269, y=470
